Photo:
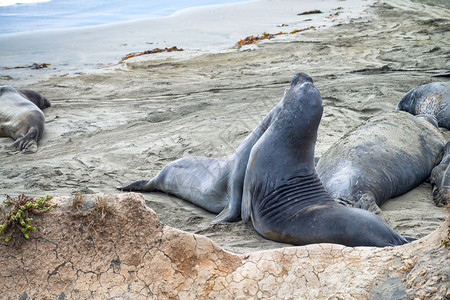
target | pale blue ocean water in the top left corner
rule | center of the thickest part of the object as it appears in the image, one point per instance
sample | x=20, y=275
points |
x=35, y=15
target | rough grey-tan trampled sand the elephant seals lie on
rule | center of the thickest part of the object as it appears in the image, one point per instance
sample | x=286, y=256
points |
x=105, y=130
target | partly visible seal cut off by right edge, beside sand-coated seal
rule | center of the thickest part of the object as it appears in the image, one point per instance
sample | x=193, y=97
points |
x=440, y=179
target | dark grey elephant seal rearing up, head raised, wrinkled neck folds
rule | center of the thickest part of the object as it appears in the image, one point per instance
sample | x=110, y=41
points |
x=283, y=196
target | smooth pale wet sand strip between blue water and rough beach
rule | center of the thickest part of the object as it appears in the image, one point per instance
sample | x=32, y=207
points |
x=198, y=30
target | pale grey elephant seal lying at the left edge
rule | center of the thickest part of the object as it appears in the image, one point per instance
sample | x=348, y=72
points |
x=20, y=119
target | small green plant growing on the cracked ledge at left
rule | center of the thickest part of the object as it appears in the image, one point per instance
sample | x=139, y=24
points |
x=16, y=215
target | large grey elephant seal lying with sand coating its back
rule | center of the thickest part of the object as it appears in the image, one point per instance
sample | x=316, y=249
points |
x=388, y=156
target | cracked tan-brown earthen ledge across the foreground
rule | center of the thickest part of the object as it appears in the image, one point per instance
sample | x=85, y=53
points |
x=126, y=252
